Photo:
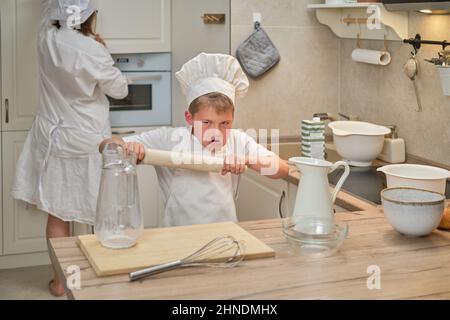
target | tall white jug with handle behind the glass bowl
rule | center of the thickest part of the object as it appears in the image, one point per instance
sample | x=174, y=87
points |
x=314, y=197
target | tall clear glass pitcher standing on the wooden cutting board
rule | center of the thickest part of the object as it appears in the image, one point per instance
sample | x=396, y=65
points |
x=118, y=222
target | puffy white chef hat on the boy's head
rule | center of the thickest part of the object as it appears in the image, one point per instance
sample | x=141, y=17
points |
x=209, y=73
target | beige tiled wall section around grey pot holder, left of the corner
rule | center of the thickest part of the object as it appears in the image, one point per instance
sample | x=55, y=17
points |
x=306, y=79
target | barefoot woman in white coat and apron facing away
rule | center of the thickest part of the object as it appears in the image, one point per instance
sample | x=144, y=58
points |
x=59, y=168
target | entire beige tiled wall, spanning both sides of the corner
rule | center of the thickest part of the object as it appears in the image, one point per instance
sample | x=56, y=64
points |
x=316, y=74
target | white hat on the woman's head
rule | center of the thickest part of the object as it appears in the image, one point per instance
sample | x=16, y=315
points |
x=61, y=10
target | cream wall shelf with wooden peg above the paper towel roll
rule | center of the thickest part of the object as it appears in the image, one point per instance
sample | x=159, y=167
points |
x=349, y=19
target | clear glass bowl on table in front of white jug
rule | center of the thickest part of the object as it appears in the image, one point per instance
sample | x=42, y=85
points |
x=313, y=237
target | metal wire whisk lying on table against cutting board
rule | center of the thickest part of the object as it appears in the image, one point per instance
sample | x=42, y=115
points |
x=209, y=256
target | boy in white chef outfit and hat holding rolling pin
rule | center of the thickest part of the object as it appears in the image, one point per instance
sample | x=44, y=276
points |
x=211, y=83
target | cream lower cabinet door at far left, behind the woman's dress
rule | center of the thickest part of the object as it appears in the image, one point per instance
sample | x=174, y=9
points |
x=23, y=225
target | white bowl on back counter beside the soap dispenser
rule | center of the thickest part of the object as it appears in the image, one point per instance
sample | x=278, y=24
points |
x=358, y=143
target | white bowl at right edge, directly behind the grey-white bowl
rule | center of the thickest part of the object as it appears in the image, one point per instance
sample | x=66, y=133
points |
x=416, y=176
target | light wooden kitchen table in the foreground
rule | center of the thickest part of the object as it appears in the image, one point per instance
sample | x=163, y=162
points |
x=411, y=268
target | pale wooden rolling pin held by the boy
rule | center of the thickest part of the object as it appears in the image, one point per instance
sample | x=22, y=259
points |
x=183, y=161
